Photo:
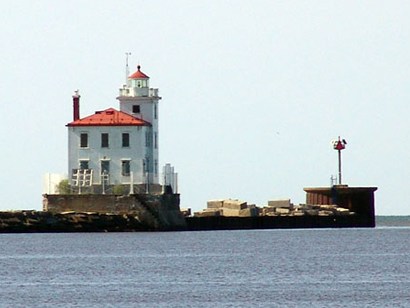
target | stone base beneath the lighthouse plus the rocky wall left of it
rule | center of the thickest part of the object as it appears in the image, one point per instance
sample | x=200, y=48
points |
x=98, y=213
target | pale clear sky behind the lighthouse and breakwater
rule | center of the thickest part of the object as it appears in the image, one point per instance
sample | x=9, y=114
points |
x=253, y=92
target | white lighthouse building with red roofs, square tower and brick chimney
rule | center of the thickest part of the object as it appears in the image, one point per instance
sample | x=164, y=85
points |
x=118, y=147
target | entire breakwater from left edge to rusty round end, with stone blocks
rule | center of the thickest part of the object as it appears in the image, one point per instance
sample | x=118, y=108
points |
x=337, y=207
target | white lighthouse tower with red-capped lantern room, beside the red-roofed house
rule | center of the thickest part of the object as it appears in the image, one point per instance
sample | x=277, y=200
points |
x=139, y=100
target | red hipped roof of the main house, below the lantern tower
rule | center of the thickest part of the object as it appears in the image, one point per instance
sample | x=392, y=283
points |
x=109, y=117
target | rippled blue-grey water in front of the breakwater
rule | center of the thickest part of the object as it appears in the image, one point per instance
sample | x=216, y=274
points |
x=257, y=268
